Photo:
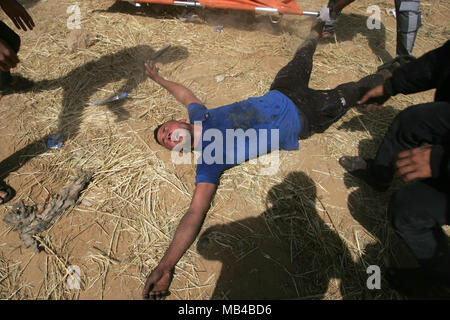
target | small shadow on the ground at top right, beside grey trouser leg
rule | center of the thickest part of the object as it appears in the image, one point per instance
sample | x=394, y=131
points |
x=350, y=25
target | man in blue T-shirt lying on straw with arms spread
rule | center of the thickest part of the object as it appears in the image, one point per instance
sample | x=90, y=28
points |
x=276, y=120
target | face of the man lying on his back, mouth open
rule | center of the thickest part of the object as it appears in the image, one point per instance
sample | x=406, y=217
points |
x=173, y=132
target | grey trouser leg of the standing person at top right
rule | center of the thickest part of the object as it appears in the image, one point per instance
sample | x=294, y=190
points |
x=408, y=23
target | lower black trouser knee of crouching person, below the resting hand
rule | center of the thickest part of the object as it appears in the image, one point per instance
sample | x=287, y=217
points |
x=418, y=211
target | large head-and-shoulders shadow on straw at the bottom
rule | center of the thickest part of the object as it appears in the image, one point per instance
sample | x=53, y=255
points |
x=288, y=252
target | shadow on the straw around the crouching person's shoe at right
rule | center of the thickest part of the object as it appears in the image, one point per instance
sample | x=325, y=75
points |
x=368, y=206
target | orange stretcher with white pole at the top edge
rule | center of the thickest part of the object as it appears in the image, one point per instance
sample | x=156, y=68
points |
x=267, y=6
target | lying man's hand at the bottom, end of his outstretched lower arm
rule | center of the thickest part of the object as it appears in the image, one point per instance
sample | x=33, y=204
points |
x=157, y=285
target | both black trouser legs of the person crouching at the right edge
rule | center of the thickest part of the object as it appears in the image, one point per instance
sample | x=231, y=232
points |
x=419, y=209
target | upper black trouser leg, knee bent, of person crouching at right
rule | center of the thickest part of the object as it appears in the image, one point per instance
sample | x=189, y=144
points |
x=427, y=123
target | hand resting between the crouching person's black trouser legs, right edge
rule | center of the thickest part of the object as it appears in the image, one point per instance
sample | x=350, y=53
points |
x=413, y=164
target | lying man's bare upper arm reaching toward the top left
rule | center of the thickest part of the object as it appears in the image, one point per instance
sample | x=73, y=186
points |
x=181, y=93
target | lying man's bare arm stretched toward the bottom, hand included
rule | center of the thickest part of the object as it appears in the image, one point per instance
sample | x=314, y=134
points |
x=158, y=282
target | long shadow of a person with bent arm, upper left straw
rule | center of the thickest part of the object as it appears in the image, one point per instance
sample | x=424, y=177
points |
x=125, y=66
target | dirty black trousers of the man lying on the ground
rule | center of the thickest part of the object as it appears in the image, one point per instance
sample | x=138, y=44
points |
x=318, y=109
